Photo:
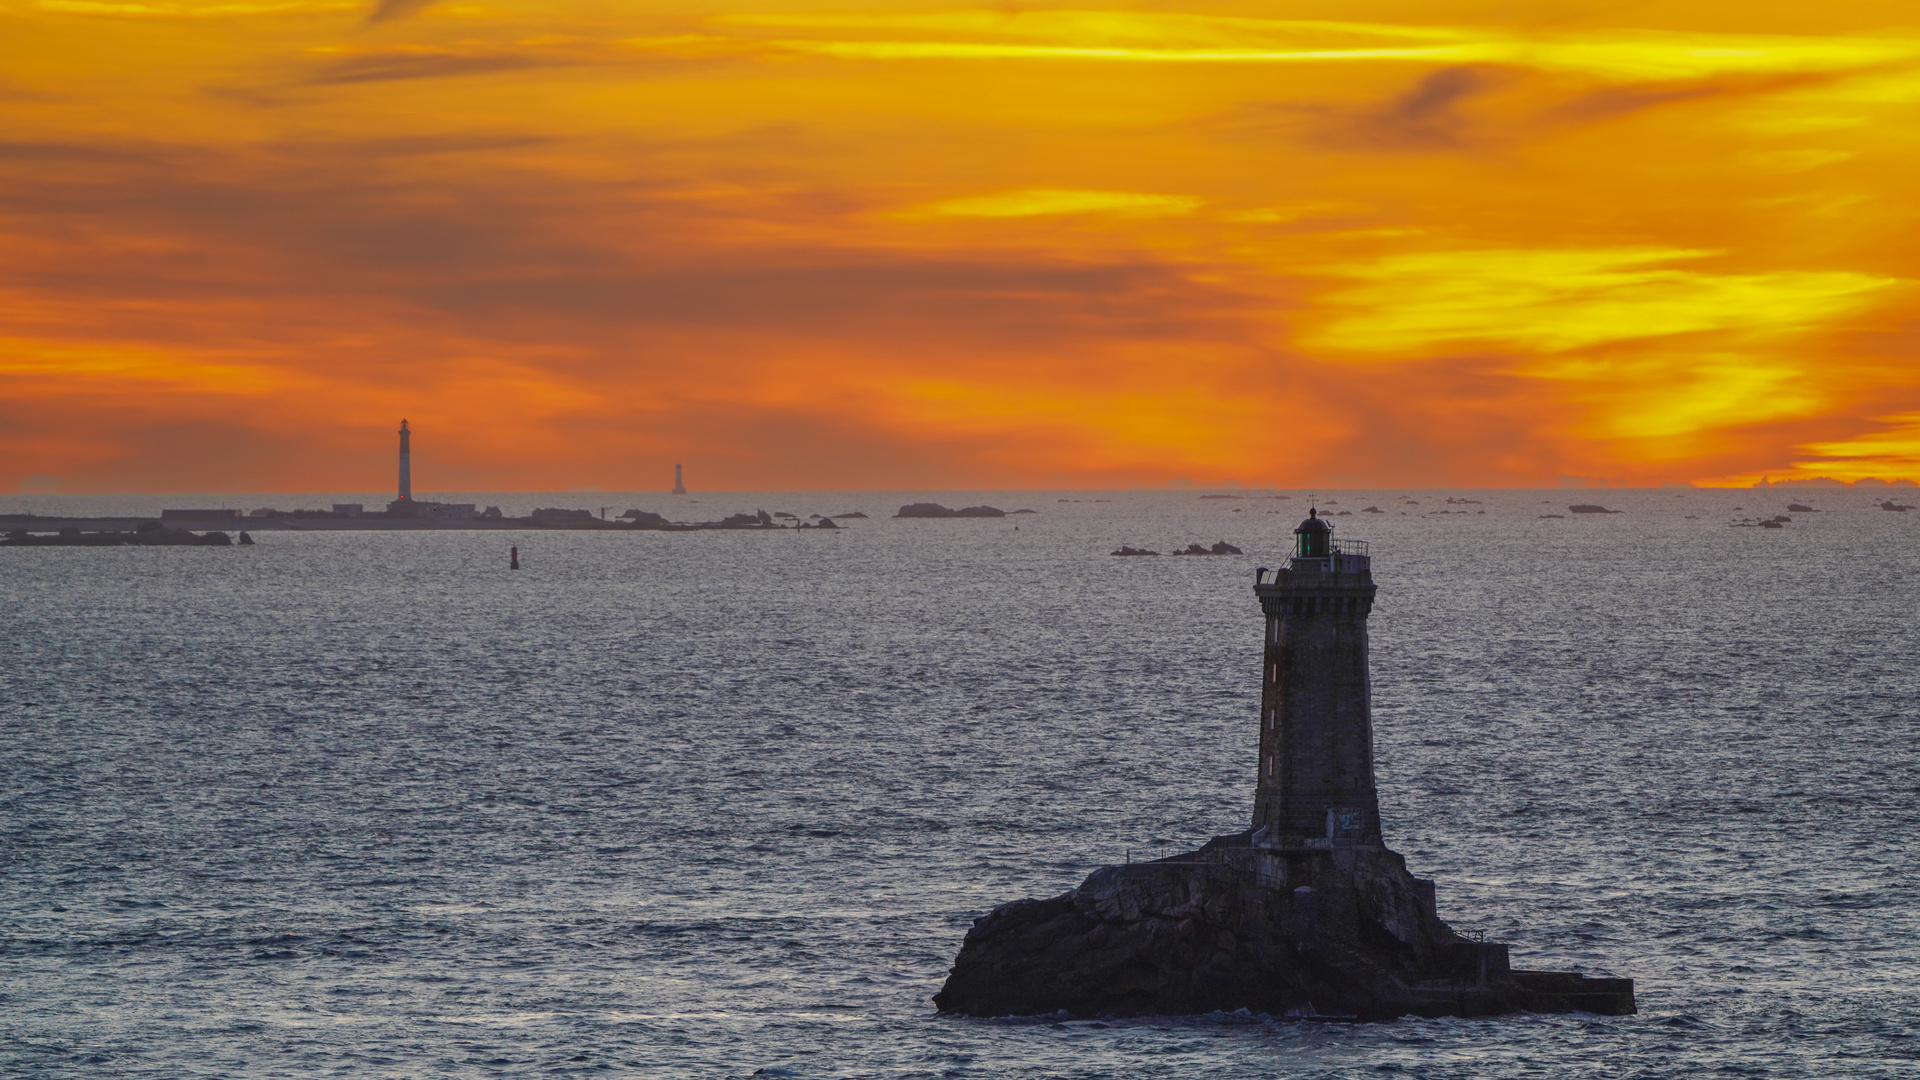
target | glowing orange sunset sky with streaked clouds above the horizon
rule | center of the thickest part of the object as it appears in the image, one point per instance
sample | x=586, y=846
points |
x=936, y=247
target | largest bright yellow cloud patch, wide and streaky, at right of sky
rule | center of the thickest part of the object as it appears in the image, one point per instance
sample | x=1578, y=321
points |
x=1572, y=299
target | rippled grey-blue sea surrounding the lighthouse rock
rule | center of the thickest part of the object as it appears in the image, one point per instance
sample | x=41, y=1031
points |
x=725, y=804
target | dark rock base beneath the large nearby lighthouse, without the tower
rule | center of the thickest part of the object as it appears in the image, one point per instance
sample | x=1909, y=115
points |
x=1341, y=933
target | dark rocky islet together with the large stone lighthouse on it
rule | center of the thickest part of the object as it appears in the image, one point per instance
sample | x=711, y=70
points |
x=1307, y=914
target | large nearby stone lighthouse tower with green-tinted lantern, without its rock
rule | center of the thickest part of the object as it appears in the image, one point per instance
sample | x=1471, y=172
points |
x=1316, y=714
